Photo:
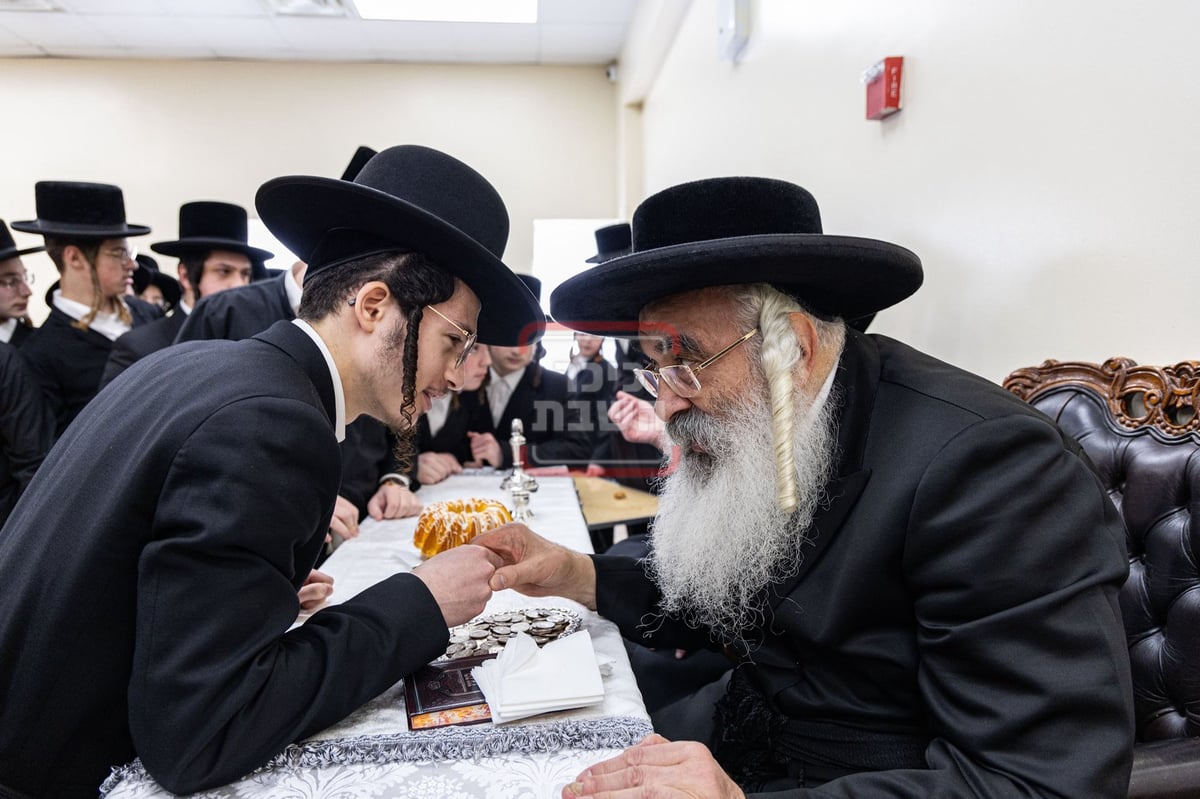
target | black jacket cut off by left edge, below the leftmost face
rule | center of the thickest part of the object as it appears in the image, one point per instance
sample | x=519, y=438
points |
x=26, y=429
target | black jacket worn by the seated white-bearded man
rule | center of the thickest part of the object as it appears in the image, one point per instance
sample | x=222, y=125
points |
x=959, y=585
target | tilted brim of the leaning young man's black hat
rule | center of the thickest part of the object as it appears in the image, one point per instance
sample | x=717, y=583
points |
x=301, y=209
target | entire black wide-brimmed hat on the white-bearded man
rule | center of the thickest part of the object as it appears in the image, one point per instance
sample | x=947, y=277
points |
x=737, y=231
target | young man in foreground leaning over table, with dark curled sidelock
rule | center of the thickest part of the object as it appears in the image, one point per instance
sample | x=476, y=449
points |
x=148, y=604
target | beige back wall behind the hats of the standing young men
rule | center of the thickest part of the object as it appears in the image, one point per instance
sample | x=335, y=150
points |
x=170, y=133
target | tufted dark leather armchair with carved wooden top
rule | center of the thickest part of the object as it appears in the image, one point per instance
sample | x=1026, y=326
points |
x=1141, y=428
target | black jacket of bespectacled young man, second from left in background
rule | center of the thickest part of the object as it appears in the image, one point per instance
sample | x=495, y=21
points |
x=69, y=363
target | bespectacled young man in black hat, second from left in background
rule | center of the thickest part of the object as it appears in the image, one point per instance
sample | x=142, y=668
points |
x=87, y=237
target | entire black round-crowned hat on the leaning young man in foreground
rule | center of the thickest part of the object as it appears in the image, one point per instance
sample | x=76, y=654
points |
x=415, y=199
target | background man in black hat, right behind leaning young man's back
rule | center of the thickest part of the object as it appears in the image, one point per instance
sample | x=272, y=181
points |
x=214, y=255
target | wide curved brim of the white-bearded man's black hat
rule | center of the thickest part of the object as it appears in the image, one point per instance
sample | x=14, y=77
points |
x=837, y=277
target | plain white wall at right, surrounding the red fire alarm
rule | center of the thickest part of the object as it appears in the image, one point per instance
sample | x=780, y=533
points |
x=1046, y=166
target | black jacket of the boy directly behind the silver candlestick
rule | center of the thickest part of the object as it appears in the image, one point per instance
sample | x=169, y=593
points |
x=553, y=430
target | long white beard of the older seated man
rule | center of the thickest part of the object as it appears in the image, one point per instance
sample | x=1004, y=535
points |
x=721, y=537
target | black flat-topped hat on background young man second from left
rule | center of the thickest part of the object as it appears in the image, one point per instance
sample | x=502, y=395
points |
x=80, y=211
